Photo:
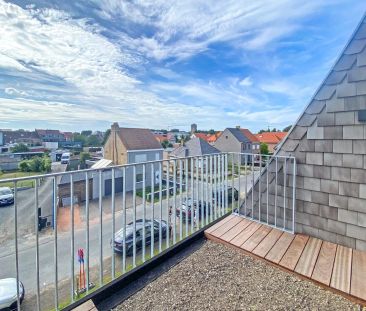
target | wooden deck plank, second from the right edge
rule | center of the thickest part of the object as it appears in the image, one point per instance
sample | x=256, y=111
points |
x=341, y=277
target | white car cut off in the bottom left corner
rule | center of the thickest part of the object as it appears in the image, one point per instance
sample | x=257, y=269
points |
x=8, y=293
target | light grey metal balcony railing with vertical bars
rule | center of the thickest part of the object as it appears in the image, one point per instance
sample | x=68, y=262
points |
x=105, y=222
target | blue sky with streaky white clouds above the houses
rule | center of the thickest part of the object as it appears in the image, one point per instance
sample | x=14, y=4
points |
x=75, y=65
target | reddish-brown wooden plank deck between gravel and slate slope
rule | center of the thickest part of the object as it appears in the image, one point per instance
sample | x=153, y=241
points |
x=333, y=266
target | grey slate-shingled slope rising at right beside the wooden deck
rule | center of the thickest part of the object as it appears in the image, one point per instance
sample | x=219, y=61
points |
x=329, y=143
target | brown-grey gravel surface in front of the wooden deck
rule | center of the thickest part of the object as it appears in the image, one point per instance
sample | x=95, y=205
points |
x=218, y=278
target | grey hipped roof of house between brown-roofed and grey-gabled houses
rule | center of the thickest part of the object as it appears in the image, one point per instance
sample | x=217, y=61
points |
x=194, y=147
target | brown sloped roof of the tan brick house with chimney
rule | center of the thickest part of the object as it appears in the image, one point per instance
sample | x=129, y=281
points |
x=138, y=139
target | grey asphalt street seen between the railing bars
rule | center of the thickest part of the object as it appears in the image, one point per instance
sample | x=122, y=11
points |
x=27, y=249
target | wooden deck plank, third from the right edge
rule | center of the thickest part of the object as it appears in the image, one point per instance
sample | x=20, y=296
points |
x=324, y=266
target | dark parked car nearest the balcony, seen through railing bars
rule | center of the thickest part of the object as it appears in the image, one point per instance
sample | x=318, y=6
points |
x=119, y=235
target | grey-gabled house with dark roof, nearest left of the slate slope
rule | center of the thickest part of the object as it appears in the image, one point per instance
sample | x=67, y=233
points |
x=238, y=140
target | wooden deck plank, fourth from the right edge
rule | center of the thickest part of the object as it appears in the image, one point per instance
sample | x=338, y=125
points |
x=306, y=263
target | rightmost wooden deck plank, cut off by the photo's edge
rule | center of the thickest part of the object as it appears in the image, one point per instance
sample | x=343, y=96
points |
x=358, y=279
